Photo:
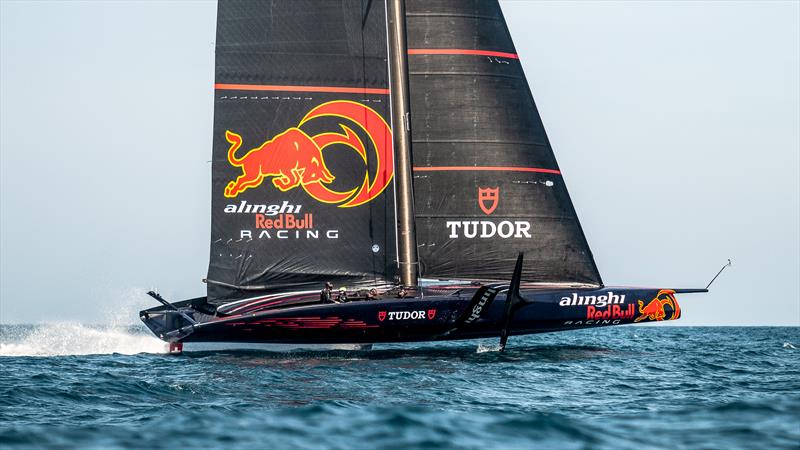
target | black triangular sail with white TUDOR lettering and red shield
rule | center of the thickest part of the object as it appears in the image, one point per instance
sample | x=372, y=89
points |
x=486, y=181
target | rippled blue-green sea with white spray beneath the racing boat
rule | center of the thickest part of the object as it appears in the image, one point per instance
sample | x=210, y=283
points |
x=70, y=385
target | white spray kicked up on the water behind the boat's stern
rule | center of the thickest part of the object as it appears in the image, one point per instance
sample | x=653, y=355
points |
x=61, y=339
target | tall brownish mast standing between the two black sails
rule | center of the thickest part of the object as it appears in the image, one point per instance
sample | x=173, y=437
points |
x=401, y=126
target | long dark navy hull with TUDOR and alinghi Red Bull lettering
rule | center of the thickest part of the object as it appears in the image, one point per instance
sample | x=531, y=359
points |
x=423, y=318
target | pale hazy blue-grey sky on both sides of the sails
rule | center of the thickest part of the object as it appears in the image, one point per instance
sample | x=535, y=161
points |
x=676, y=126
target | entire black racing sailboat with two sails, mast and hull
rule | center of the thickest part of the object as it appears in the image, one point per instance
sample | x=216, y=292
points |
x=393, y=150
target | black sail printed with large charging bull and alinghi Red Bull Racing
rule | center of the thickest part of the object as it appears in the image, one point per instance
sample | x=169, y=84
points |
x=302, y=165
